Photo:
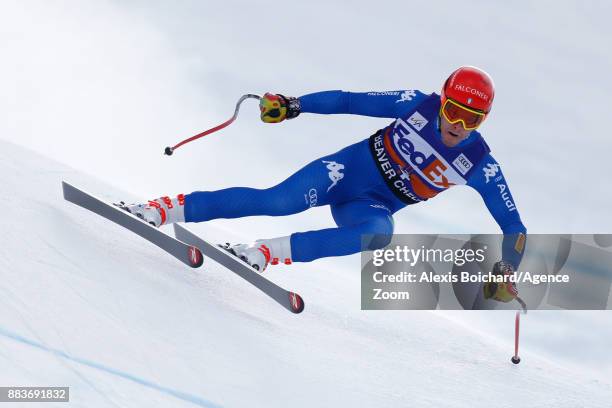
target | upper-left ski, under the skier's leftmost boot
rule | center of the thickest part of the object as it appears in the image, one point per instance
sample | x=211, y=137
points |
x=189, y=255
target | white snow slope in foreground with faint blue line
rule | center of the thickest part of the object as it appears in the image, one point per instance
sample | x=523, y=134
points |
x=85, y=304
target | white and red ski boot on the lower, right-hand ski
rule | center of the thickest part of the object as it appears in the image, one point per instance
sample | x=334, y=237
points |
x=263, y=252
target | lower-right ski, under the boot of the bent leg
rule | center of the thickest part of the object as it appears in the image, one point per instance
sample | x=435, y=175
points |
x=289, y=300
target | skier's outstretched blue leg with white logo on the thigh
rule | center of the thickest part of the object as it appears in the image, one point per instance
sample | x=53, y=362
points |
x=330, y=179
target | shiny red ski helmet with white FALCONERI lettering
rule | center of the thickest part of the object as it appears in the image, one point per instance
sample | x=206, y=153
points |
x=471, y=87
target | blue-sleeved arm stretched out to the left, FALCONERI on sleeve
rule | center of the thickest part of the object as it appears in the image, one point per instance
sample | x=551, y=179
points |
x=391, y=104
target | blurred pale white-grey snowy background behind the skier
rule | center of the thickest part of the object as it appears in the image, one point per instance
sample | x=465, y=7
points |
x=104, y=86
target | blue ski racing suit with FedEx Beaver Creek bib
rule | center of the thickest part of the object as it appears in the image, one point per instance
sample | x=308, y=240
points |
x=367, y=182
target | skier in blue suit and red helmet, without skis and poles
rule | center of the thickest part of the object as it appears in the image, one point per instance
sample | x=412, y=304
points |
x=431, y=145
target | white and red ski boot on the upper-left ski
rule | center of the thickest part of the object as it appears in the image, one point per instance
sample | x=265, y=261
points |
x=161, y=211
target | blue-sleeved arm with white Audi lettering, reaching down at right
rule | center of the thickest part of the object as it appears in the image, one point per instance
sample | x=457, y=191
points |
x=490, y=183
